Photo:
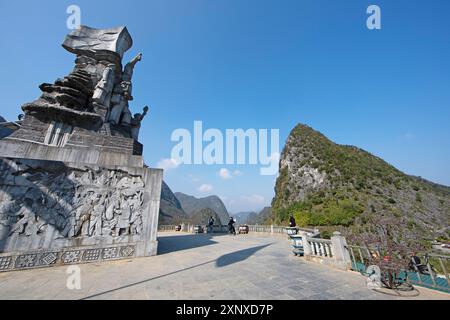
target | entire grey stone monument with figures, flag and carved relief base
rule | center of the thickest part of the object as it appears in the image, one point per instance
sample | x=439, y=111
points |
x=73, y=184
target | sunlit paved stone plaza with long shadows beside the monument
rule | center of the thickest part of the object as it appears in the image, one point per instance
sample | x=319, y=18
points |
x=202, y=267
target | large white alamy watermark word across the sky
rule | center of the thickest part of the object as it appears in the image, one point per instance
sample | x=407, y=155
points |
x=236, y=146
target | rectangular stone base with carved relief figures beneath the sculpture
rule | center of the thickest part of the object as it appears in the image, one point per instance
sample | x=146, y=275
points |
x=59, y=213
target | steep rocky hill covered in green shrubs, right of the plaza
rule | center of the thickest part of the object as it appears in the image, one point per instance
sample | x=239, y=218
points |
x=326, y=184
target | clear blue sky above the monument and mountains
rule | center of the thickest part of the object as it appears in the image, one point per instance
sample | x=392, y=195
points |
x=259, y=64
